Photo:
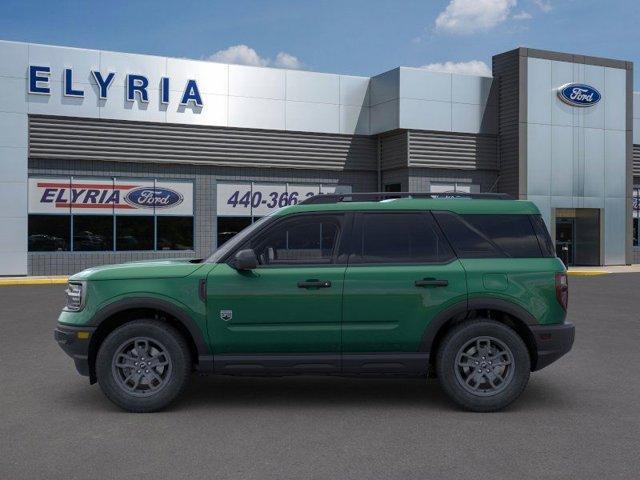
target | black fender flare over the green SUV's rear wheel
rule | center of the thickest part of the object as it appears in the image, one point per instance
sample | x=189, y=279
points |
x=459, y=308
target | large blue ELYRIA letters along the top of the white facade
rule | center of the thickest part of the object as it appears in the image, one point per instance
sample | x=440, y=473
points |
x=136, y=86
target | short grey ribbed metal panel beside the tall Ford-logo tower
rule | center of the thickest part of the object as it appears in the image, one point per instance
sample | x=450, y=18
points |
x=453, y=150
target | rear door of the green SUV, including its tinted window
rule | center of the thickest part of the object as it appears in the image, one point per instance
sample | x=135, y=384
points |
x=401, y=273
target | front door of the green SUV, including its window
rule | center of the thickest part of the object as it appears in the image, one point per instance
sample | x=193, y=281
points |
x=291, y=304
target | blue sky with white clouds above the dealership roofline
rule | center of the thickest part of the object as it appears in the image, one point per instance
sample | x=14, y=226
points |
x=357, y=37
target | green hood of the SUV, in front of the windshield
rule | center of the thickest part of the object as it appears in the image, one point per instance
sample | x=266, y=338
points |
x=170, y=268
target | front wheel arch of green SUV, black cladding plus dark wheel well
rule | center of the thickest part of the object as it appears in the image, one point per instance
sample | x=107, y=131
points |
x=126, y=310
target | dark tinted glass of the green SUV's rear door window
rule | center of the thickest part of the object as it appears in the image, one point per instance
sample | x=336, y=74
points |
x=401, y=238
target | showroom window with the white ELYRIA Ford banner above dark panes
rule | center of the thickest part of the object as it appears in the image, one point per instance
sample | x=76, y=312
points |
x=109, y=214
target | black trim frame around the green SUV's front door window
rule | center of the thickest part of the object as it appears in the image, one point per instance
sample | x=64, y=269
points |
x=337, y=217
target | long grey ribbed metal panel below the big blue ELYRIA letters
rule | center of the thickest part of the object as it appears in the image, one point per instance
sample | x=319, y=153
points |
x=114, y=140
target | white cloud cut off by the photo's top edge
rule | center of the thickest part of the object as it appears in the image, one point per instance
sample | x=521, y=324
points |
x=469, y=16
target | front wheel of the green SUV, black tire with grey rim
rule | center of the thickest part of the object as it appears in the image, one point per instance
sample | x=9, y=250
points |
x=122, y=346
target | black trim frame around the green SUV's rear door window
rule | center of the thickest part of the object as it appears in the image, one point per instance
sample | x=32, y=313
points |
x=356, y=234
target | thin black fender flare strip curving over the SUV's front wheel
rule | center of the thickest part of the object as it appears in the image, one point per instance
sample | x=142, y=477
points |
x=204, y=354
